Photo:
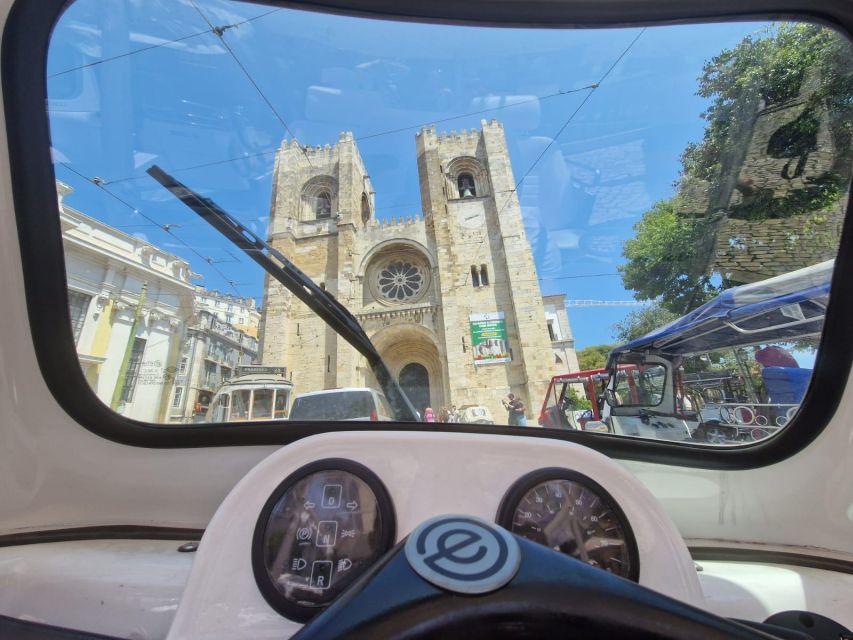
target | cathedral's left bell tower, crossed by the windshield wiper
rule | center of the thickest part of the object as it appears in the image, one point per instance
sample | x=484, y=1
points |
x=322, y=199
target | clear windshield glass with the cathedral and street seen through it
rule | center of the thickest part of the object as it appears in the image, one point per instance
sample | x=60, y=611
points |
x=495, y=207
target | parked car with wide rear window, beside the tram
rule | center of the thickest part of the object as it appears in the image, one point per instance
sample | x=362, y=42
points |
x=358, y=403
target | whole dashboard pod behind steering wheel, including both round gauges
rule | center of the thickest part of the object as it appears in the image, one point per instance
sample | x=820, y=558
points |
x=311, y=518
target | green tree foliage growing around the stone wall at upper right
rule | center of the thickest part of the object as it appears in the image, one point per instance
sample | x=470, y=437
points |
x=670, y=259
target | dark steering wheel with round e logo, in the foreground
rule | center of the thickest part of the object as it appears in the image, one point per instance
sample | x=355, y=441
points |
x=422, y=588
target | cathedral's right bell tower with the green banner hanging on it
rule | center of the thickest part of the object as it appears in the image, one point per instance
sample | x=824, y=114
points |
x=486, y=271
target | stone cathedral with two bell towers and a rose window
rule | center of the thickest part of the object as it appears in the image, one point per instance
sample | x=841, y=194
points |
x=417, y=286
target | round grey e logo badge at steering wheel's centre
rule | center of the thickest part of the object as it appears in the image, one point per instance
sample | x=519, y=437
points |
x=463, y=554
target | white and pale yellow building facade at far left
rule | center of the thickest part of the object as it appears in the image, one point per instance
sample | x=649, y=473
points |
x=129, y=305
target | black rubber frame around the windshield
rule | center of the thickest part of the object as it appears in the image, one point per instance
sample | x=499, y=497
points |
x=25, y=43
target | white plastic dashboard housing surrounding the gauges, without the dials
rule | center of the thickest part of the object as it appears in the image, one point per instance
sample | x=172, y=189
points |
x=425, y=474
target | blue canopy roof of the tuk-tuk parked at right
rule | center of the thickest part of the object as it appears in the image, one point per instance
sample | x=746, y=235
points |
x=786, y=307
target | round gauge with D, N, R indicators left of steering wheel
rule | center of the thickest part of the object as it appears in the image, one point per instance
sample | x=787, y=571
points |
x=320, y=530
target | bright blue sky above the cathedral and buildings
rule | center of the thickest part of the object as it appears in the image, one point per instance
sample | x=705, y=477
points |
x=189, y=103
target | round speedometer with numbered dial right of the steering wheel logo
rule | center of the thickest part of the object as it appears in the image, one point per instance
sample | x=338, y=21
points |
x=573, y=514
